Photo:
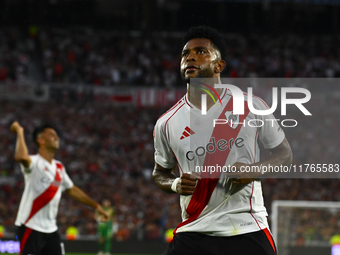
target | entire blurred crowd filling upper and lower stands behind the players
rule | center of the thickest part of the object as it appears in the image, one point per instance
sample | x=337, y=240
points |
x=108, y=151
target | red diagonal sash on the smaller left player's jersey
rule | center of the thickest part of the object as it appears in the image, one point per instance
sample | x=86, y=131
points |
x=45, y=197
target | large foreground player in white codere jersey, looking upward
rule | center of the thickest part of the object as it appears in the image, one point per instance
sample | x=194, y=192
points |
x=222, y=214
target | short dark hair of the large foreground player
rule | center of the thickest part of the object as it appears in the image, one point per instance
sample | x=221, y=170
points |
x=209, y=33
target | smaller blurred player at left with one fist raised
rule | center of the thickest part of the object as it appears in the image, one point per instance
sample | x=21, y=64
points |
x=45, y=180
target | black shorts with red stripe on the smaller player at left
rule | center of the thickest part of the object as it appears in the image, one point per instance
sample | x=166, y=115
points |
x=38, y=243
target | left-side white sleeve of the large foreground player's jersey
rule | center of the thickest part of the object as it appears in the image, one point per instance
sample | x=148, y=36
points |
x=163, y=153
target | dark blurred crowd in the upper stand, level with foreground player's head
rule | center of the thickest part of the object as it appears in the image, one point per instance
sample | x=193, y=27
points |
x=109, y=57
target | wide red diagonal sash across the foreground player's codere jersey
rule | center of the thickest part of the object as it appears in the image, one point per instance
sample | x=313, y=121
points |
x=207, y=184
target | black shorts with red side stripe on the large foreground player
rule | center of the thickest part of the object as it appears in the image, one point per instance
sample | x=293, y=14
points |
x=190, y=243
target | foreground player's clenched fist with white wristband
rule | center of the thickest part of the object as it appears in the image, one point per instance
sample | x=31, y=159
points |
x=186, y=184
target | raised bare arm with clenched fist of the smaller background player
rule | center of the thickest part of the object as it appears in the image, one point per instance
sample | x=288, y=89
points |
x=21, y=152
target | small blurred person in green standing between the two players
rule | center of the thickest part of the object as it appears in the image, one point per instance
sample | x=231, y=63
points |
x=105, y=229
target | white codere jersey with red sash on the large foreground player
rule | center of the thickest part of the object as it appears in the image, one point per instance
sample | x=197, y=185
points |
x=185, y=137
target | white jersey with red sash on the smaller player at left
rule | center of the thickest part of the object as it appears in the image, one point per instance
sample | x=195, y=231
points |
x=44, y=183
